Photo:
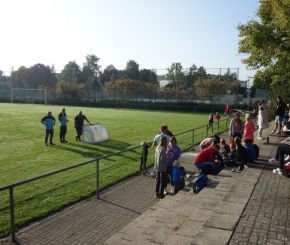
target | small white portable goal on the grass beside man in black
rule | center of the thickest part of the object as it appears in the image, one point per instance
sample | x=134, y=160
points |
x=93, y=134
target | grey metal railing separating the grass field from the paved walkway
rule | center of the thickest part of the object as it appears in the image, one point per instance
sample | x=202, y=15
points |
x=10, y=188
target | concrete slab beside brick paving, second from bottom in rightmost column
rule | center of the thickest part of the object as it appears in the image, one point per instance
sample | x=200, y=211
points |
x=223, y=221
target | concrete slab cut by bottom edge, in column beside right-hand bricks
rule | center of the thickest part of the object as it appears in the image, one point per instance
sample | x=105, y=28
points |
x=211, y=236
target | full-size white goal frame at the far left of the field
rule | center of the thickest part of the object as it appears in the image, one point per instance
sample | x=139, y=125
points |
x=31, y=95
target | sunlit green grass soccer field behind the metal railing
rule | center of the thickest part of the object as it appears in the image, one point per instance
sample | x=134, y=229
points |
x=24, y=155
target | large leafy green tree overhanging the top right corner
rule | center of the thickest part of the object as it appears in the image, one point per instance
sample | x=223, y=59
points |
x=267, y=44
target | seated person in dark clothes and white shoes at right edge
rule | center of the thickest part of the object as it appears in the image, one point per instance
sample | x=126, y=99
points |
x=282, y=151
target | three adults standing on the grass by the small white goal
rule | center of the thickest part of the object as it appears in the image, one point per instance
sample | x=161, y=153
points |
x=49, y=123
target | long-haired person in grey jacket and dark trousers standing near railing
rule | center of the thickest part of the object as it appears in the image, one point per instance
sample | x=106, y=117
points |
x=160, y=167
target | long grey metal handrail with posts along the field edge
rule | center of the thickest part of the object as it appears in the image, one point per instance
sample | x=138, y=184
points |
x=11, y=187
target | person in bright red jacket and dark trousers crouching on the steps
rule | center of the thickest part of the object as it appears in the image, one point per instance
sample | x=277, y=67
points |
x=206, y=160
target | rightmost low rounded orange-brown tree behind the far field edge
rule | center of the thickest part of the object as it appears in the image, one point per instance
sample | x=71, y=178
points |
x=209, y=88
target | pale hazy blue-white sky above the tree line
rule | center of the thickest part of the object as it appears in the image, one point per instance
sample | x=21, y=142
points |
x=154, y=33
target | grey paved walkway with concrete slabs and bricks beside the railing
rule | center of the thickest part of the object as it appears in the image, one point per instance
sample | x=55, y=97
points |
x=247, y=208
